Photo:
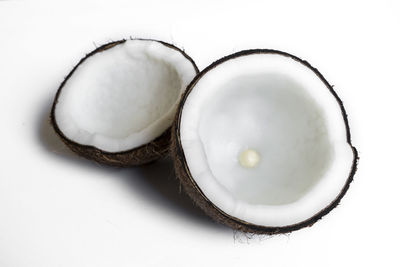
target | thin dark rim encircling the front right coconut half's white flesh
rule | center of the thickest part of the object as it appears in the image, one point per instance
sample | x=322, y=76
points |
x=239, y=223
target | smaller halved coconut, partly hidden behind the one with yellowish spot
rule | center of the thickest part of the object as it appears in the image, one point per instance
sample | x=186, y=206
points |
x=118, y=104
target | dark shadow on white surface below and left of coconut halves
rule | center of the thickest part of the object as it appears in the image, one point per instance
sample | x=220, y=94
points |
x=154, y=182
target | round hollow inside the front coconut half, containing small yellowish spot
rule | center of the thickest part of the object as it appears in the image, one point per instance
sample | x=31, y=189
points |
x=268, y=124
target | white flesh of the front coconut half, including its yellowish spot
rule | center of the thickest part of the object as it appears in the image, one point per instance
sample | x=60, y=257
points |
x=265, y=140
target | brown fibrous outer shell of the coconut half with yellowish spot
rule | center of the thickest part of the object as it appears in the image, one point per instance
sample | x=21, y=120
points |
x=194, y=191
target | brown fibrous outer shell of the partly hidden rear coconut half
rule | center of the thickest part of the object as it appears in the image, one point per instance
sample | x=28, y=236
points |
x=146, y=153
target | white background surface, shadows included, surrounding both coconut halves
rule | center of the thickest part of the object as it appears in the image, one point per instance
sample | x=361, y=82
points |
x=60, y=210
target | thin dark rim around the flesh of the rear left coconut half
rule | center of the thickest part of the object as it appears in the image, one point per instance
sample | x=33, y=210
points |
x=81, y=61
